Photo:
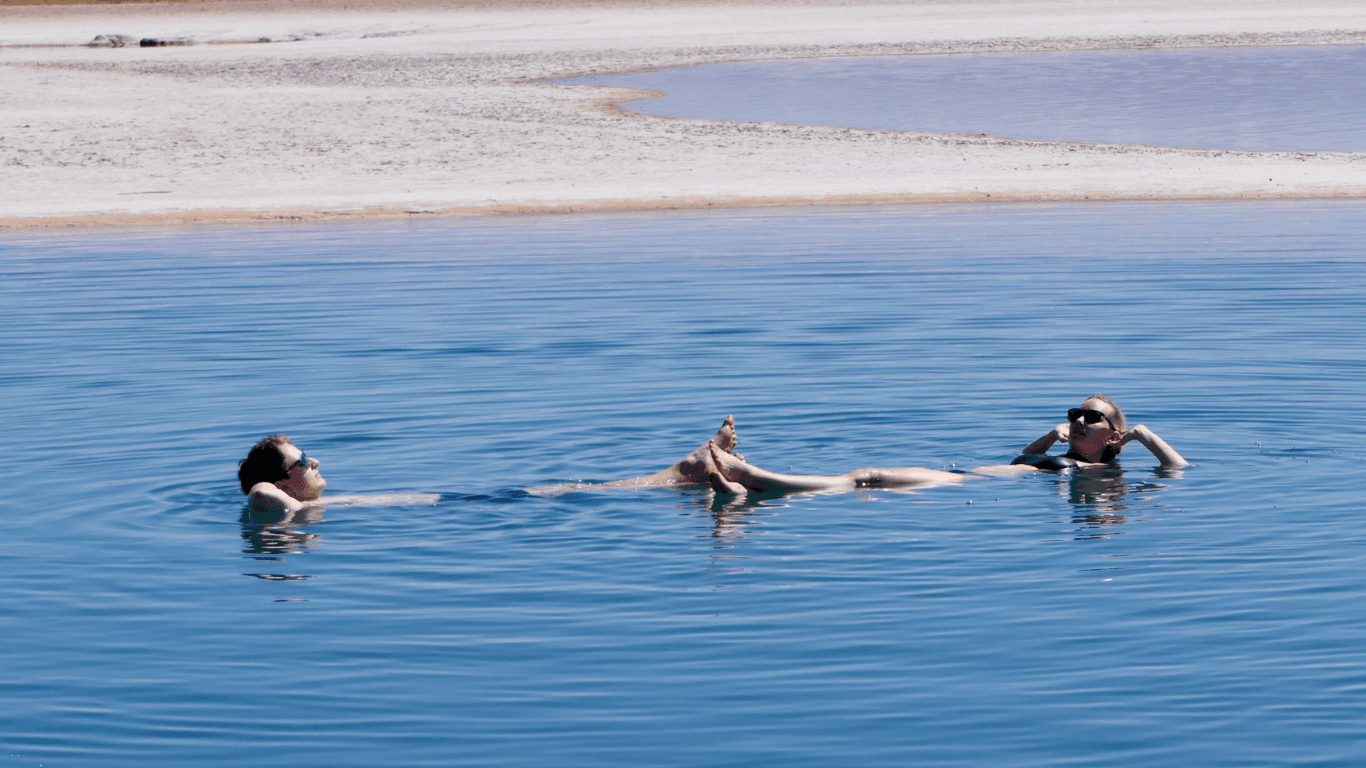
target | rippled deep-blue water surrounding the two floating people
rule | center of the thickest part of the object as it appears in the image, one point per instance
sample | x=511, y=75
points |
x=1137, y=618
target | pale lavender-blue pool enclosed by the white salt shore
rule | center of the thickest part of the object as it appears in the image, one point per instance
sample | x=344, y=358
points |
x=1267, y=99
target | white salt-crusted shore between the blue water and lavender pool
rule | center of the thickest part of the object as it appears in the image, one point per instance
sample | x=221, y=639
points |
x=361, y=110
